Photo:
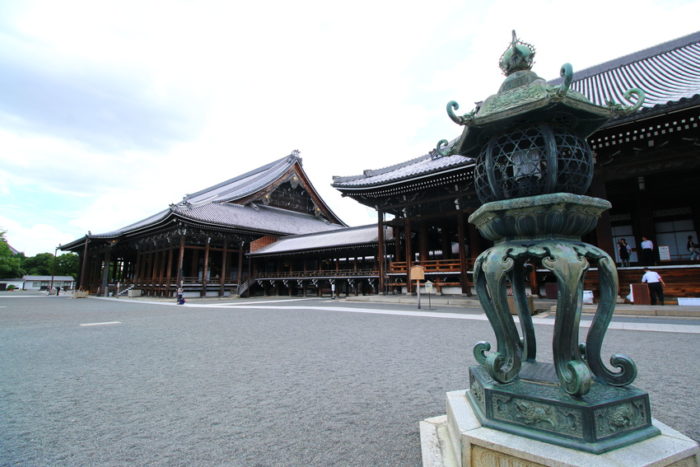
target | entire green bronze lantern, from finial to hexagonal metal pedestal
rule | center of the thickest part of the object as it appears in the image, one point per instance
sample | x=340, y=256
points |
x=533, y=168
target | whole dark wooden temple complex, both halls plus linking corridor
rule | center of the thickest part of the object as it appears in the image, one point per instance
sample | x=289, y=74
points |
x=269, y=232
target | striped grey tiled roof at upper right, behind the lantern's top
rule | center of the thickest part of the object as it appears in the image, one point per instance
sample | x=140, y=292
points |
x=666, y=73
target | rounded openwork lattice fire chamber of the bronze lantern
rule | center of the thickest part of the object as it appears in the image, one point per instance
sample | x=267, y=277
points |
x=533, y=160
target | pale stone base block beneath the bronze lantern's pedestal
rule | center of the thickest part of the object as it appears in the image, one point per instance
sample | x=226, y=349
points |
x=459, y=439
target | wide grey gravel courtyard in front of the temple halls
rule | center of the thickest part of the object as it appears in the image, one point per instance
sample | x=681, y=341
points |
x=265, y=382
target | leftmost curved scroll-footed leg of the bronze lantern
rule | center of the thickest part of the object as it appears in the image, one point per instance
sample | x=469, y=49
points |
x=490, y=274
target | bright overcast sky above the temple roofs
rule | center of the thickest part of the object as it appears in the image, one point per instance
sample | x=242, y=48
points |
x=109, y=111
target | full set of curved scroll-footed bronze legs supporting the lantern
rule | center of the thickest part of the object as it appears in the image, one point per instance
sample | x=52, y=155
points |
x=576, y=364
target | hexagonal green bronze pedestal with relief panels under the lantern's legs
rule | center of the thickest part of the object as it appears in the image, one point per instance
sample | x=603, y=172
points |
x=534, y=406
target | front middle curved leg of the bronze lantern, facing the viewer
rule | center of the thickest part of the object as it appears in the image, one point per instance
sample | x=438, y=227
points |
x=568, y=266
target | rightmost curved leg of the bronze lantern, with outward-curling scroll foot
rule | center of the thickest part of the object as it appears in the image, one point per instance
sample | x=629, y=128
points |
x=601, y=321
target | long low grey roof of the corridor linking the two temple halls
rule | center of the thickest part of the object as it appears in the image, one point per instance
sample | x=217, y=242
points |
x=341, y=238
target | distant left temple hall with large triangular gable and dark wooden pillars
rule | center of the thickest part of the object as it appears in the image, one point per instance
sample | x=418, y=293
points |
x=201, y=242
